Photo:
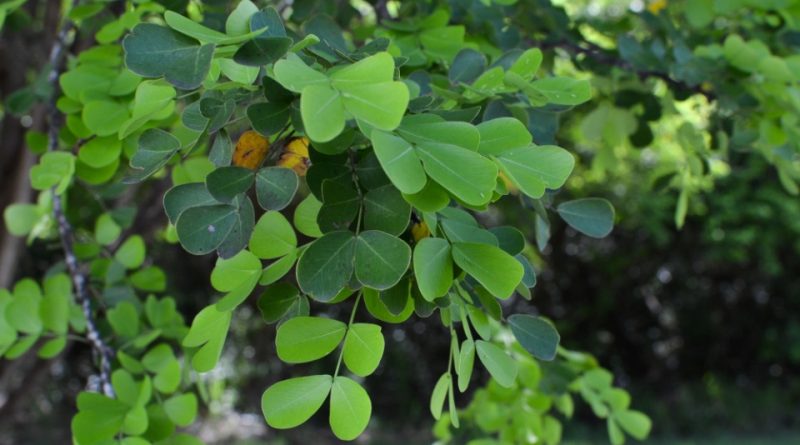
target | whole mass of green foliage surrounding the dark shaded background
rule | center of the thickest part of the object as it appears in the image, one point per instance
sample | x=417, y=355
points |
x=347, y=166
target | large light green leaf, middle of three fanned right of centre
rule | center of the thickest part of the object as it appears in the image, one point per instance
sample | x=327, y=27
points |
x=466, y=174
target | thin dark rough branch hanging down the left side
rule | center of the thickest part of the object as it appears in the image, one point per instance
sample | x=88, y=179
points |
x=65, y=231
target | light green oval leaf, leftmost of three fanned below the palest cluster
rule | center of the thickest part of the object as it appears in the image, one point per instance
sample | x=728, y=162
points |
x=400, y=162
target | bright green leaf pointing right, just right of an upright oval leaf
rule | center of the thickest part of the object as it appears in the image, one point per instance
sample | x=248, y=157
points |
x=497, y=271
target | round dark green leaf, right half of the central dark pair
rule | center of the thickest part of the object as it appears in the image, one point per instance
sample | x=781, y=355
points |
x=380, y=259
